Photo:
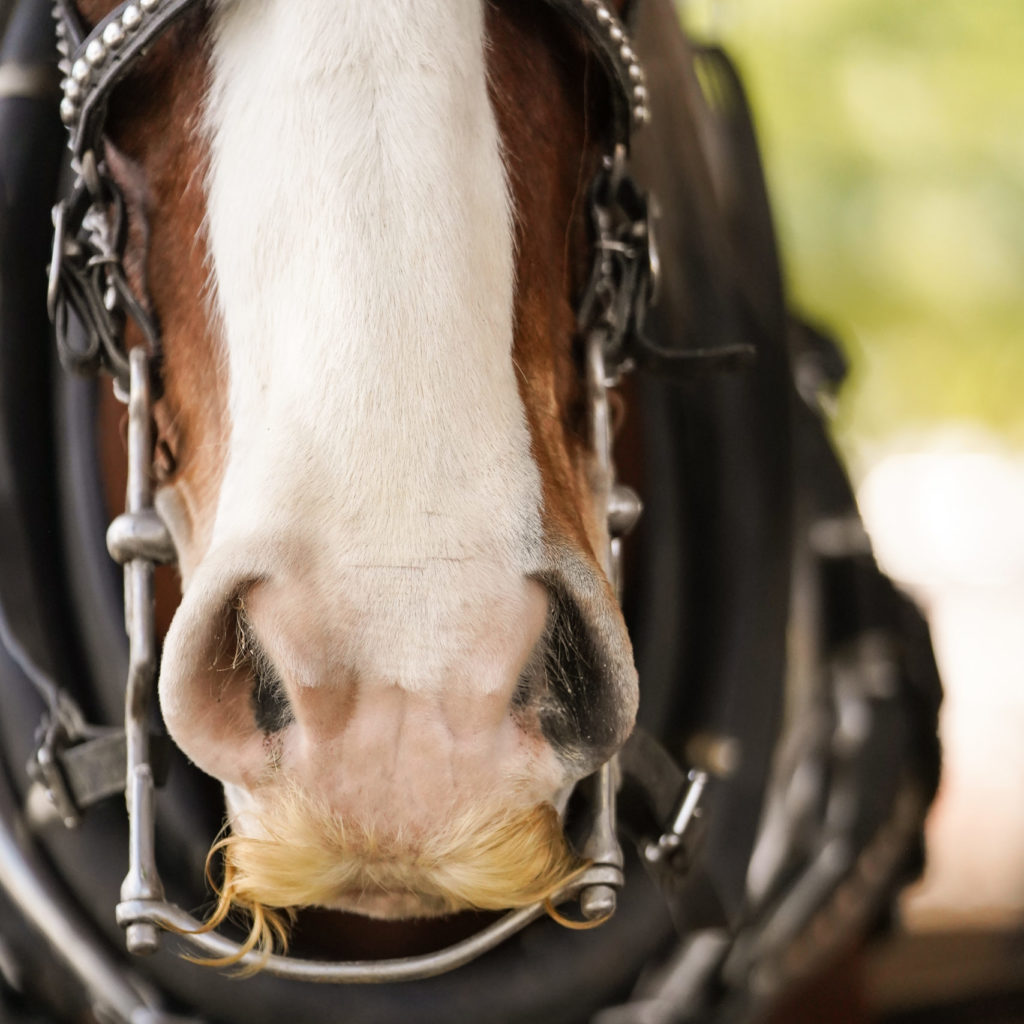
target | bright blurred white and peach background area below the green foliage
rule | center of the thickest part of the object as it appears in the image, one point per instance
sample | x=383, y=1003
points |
x=947, y=517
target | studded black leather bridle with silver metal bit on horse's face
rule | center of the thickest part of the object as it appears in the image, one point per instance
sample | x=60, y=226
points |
x=88, y=282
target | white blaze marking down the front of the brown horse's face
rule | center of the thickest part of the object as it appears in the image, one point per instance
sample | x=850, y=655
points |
x=362, y=257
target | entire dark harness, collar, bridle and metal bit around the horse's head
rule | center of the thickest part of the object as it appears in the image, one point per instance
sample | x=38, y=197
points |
x=690, y=788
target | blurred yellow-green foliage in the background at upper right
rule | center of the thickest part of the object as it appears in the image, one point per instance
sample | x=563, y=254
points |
x=895, y=154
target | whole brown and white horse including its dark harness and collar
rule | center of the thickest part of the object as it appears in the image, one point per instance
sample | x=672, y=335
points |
x=368, y=278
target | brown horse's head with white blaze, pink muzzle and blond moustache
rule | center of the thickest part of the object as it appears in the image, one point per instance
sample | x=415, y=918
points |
x=361, y=230
